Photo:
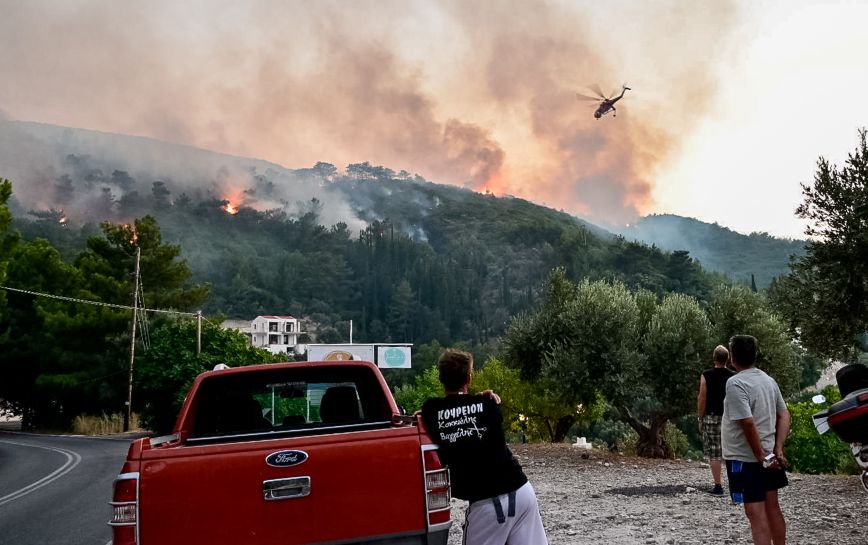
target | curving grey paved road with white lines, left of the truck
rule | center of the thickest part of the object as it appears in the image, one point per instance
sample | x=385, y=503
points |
x=56, y=489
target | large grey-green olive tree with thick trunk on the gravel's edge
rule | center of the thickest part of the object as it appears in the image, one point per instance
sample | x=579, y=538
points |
x=598, y=338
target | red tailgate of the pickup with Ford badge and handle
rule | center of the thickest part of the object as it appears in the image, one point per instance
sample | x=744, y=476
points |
x=361, y=484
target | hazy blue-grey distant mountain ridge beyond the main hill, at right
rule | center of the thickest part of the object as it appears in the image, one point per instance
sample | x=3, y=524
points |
x=718, y=248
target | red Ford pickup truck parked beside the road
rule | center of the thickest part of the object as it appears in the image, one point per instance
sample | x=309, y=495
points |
x=285, y=454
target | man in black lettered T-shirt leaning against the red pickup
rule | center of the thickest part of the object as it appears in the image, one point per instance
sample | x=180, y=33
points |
x=469, y=430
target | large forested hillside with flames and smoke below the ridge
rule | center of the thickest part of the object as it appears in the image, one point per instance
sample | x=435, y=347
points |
x=406, y=259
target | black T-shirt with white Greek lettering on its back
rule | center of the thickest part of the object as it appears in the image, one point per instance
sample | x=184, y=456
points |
x=469, y=431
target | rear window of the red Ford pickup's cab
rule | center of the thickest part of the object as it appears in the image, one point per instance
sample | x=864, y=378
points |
x=291, y=400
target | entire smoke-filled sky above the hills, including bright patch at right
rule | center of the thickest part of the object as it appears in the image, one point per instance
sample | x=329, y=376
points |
x=731, y=102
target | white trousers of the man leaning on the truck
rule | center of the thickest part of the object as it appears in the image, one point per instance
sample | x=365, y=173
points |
x=523, y=528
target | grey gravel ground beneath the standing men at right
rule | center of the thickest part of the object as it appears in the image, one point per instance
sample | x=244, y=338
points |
x=609, y=498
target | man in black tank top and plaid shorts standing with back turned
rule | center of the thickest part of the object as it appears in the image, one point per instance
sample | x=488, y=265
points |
x=709, y=409
